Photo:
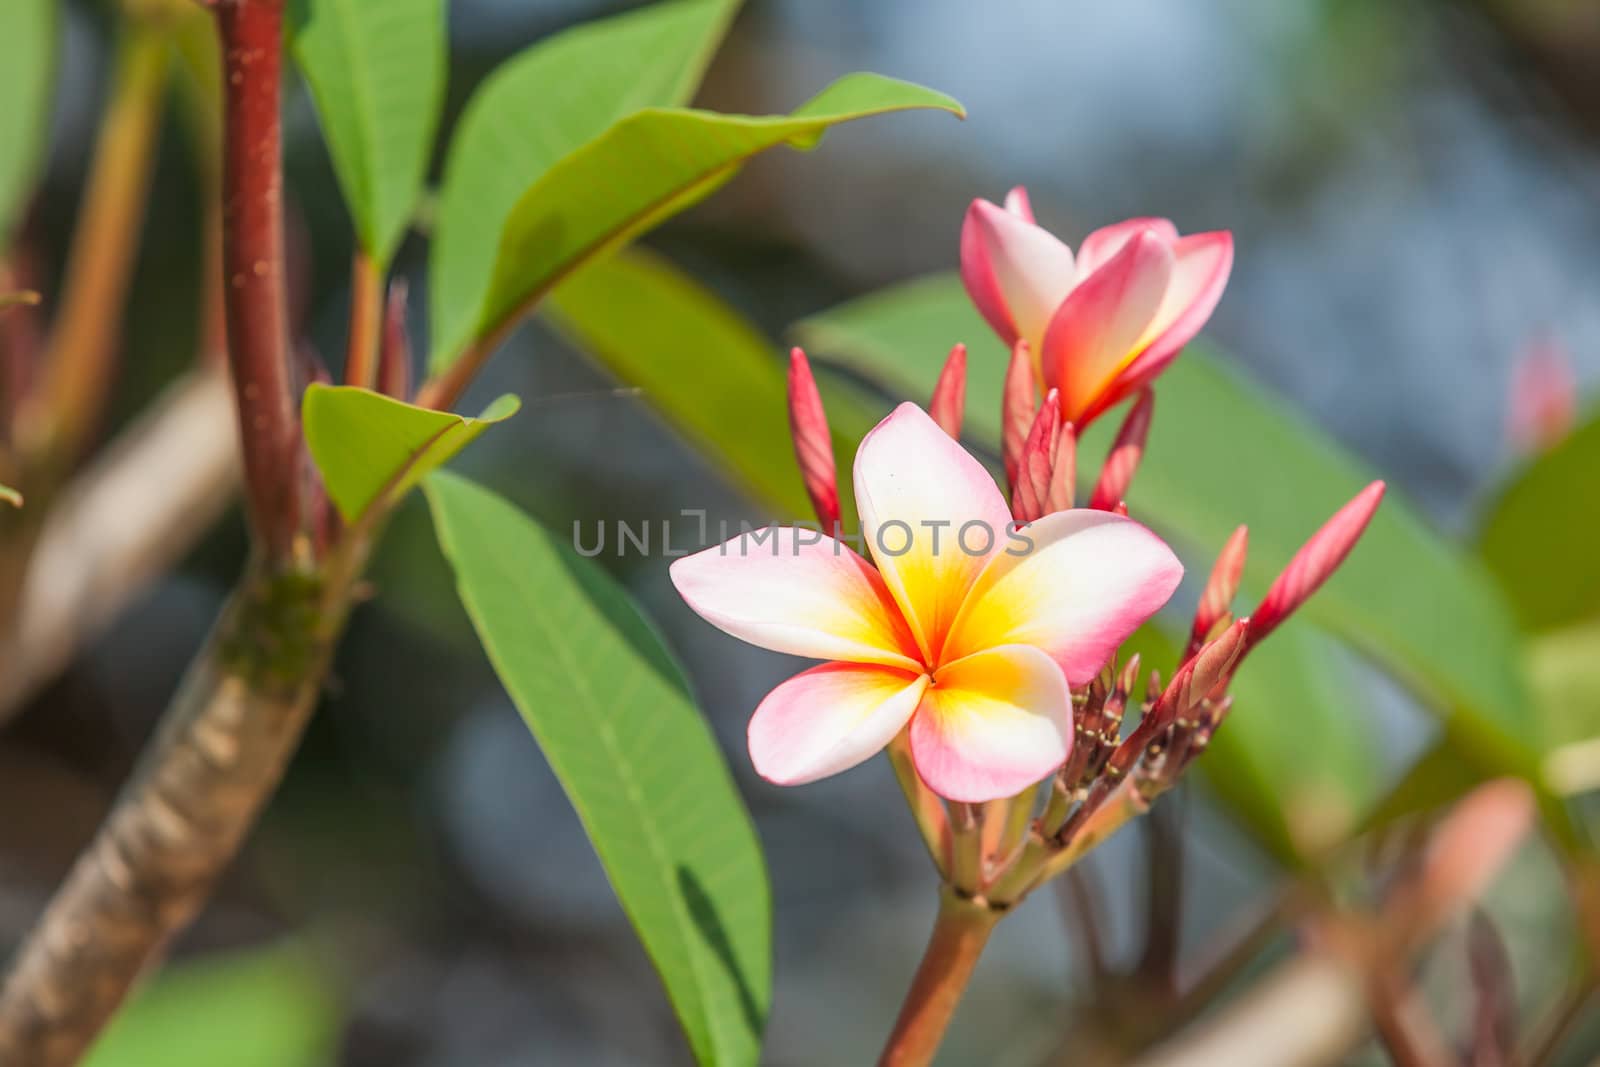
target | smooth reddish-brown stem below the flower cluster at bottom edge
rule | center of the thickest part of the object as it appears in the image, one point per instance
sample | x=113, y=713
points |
x=959, y=938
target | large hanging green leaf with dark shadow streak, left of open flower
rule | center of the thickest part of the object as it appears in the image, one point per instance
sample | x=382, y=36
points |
x=610, y=713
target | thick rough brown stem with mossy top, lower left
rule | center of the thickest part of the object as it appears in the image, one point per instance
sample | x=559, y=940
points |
x=199, y=788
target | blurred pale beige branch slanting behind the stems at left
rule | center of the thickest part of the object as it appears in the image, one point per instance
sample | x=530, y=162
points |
x=119, y=526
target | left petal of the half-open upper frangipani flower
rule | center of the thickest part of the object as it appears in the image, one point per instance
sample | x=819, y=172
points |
x=1017, y=273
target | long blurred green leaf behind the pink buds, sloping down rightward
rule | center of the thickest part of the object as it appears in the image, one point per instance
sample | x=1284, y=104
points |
x=1225, y=454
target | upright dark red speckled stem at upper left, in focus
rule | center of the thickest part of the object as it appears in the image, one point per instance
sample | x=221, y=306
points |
x=257, y=294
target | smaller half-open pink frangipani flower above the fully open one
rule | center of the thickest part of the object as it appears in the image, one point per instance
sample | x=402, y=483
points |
x=1105, y=322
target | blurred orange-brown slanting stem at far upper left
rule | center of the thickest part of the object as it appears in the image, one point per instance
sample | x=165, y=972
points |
x=62, y=414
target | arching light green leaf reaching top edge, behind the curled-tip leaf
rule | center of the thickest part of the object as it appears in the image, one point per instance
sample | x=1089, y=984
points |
x=538, y=108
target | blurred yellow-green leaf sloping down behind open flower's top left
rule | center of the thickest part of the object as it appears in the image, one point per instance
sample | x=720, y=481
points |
x=735, y=410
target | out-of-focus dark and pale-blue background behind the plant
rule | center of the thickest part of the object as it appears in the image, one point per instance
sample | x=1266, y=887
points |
x=1415, y=193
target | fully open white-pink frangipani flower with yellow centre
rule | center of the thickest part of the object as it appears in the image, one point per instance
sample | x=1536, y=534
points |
x=969, y=633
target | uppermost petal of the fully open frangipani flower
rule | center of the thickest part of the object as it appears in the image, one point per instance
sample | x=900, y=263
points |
x=932, y=518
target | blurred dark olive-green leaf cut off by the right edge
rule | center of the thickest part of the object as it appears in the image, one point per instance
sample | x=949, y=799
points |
x=1540, y=537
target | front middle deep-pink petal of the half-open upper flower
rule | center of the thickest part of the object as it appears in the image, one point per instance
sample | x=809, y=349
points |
x=1097, y=330
